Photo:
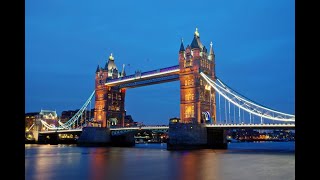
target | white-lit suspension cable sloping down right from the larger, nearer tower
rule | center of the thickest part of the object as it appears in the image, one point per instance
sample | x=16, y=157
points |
x=245, y=104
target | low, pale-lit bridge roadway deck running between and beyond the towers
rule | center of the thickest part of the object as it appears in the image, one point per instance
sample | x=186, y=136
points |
x=220, y=126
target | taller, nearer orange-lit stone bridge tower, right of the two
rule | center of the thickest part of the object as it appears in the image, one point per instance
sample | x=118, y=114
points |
x=197, y=98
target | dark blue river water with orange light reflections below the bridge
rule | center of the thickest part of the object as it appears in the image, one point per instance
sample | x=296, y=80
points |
x=243, y=161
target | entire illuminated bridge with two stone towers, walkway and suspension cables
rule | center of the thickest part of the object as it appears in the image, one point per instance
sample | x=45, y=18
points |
x=205, y=101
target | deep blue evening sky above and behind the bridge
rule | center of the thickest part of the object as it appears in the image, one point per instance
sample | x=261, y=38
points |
x=253, y=40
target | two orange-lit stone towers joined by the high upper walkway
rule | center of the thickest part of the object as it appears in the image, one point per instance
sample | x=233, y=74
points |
x=197, y=99
